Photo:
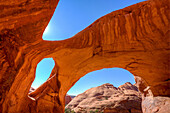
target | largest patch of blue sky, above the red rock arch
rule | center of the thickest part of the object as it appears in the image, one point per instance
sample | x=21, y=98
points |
x=72, y=16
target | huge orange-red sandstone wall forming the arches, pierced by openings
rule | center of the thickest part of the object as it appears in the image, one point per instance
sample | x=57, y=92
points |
x=135, y=38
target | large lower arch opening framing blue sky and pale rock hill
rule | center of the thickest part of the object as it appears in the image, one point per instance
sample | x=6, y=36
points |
x=105, y=90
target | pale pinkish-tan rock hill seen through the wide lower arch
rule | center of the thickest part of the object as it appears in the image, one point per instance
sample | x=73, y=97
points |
x=107, y=98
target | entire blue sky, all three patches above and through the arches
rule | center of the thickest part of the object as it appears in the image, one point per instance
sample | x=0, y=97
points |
x=70, y=17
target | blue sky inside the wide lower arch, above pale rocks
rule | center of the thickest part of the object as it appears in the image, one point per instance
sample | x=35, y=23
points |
x=115, y=76
